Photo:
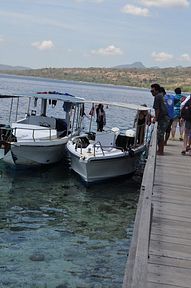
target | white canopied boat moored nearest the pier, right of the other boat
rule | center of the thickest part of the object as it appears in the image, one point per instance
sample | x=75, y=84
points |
x=98, y=156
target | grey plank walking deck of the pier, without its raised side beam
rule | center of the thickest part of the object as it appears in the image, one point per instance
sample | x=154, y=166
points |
x=169, y=262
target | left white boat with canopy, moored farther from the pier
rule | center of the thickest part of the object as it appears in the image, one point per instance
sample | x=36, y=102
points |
x=40, y=137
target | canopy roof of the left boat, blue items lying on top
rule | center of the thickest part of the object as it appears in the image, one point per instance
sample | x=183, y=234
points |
x=52, y=95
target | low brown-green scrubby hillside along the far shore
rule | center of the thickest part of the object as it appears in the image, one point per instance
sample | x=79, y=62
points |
x=170, y=78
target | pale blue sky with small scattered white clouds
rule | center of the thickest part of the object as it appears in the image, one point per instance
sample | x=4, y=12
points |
x=95, y=33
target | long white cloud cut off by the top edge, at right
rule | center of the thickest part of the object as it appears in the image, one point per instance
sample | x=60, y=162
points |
x=166, y=3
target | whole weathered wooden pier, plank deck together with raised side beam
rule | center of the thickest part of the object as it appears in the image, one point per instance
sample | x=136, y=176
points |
x=160, y=252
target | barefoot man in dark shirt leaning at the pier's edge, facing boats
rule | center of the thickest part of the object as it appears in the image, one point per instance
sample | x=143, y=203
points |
x=161, y=116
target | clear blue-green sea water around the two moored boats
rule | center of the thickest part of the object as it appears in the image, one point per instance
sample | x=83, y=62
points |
x=54, y=231
